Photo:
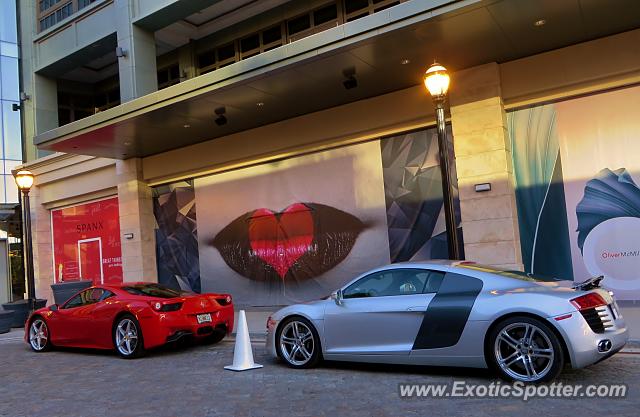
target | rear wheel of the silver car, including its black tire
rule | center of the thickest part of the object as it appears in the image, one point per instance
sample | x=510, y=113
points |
x=533, y=357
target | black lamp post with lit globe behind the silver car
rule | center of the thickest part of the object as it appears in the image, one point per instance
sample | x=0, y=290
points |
x=436, y=79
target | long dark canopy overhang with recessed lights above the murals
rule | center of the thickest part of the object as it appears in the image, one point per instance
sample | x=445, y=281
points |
x=307, y=75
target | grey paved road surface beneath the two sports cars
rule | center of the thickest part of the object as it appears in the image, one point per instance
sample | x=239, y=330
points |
x=191, y=381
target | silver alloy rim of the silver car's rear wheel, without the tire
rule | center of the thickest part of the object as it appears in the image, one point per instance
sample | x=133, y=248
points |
x=524, y=352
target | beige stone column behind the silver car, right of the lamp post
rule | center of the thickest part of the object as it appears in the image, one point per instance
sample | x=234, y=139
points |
x=483, y=155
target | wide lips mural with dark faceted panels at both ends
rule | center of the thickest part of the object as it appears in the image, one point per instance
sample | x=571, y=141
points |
x=297, y=229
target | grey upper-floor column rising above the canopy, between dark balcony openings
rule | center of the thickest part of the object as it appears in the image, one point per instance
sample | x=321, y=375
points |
x=138, y=71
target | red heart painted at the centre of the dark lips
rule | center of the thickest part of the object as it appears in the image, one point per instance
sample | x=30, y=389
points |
x=280, y=239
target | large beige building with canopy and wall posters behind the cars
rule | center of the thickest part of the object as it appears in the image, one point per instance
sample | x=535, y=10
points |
x=275, y=149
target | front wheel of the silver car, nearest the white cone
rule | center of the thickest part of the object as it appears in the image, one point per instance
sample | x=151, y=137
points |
x=311, y=342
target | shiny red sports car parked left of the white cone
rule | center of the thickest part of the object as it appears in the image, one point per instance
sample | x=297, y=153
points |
x=130, y=317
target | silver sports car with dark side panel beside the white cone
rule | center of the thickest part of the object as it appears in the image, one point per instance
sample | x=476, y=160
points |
x=449, y=313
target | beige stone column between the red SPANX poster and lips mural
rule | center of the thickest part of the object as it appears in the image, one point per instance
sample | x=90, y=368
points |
x=136, y=218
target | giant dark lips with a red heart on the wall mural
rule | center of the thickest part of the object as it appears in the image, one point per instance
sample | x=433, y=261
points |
x=299, y=242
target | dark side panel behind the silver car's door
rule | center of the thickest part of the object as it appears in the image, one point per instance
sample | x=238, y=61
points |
x=448, y=312
